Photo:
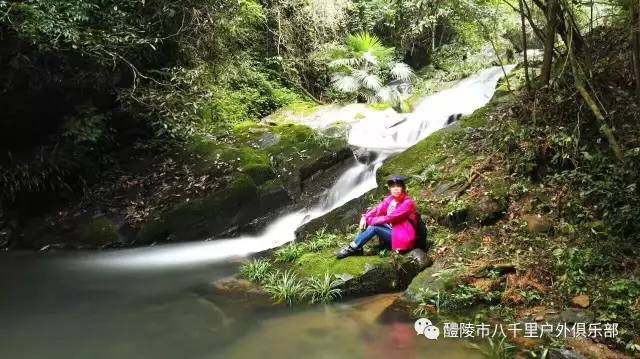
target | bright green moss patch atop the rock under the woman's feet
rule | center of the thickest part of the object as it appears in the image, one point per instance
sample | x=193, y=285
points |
x=319, y=263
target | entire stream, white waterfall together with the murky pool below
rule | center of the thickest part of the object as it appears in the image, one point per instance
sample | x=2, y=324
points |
x=142, y=302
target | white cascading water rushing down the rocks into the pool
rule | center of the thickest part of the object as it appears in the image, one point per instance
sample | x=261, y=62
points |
x=382, y=137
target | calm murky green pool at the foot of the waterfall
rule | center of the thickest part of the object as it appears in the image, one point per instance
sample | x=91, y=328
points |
x=52, y=308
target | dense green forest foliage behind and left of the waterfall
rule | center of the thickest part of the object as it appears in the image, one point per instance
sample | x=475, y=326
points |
x=89, y=84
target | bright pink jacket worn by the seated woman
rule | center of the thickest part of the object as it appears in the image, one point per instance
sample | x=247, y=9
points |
x=403, y=234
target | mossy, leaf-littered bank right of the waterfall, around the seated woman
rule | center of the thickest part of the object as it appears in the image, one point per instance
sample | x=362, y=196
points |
x=509, y=244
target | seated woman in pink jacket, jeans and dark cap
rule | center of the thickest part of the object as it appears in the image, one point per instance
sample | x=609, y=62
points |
x=391, y=221
